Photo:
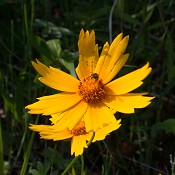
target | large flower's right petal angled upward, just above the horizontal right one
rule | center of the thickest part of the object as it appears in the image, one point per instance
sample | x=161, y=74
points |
x=128, y=82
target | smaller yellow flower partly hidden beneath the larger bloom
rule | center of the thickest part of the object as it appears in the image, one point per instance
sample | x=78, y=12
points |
x=79, y=136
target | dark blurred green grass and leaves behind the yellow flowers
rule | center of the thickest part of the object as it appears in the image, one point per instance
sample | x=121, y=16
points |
x=48, y=30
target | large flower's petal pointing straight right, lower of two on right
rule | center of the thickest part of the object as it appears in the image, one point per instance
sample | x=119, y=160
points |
x=127, y=103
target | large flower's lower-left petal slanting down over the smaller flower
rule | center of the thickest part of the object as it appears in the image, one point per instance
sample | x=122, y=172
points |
x=72, y=117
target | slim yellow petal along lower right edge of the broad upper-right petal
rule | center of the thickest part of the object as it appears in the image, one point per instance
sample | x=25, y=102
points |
x=117, y=67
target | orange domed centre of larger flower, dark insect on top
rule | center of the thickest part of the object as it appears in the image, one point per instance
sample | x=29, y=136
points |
x=91, y=89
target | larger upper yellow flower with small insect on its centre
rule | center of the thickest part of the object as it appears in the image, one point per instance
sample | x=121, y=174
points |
x=92, y=97
